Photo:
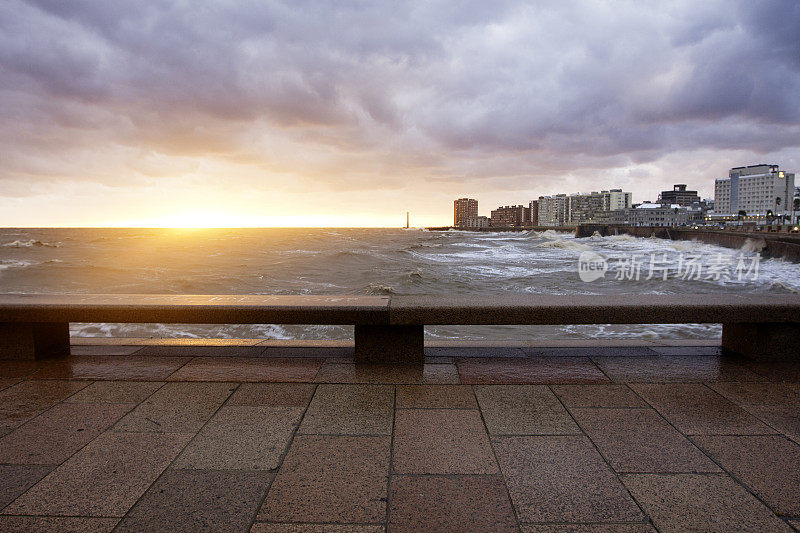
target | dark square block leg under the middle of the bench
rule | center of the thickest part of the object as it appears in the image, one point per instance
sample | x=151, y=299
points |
x=389, y=344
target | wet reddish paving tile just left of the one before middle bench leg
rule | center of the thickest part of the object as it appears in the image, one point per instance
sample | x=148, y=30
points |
x=248, y=369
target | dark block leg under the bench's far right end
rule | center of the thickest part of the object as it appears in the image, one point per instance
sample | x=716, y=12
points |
x=766, y=341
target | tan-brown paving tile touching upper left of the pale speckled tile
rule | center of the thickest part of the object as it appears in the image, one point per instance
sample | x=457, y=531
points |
x=177, y=408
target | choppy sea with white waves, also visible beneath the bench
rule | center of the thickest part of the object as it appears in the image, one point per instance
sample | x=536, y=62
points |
x=376, y=261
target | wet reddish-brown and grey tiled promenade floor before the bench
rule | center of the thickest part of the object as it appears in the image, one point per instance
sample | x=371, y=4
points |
x=272, y=439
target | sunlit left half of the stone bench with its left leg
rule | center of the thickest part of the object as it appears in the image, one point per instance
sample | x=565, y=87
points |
x=37, y=326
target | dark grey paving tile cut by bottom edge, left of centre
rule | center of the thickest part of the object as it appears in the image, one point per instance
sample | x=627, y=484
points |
x=197, y=500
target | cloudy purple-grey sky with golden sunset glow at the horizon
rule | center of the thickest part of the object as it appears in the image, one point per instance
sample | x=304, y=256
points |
x=351, y=113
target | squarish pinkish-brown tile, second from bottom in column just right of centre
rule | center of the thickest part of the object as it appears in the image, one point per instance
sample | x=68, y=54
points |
x=441, y=441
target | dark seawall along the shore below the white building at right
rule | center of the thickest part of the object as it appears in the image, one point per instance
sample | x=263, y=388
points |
x=783, y=245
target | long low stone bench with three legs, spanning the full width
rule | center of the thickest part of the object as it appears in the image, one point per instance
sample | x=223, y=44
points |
x=391, y=329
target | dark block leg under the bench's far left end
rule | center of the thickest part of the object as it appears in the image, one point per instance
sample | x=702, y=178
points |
x=34, y=340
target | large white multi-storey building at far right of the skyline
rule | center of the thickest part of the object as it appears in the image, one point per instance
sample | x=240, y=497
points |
x=755, y=189
